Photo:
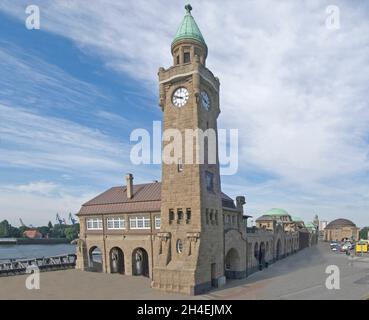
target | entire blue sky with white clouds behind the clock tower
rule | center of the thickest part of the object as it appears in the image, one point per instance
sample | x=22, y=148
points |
x=72, y=92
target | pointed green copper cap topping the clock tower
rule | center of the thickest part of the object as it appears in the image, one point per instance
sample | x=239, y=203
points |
x=188, y=30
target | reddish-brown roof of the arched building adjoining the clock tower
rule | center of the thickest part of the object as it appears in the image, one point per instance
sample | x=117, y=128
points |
x=146, y=198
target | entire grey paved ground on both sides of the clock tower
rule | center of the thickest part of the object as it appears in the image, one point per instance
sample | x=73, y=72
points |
x=301, y=276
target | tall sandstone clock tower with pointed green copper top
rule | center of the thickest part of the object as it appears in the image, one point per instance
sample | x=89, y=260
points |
x=189, y=250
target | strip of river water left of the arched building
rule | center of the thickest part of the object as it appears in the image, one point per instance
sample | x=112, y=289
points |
x=34, y=251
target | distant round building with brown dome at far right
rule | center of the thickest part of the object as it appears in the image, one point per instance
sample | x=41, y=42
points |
x=340, y=229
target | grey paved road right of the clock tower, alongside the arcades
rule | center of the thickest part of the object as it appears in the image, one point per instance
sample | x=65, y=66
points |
x=302, y=277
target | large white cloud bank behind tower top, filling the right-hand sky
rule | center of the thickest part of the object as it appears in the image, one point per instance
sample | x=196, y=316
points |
x=300, y=91
